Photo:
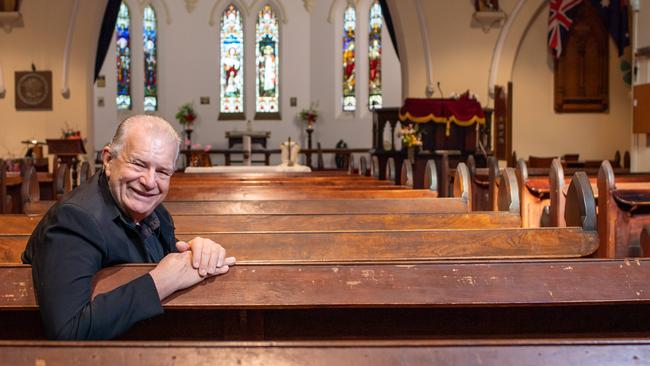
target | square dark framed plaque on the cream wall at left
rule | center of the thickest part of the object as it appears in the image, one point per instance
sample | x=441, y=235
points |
x=33, y=90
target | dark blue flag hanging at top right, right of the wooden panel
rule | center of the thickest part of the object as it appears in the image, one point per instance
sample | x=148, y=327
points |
x=614, y=14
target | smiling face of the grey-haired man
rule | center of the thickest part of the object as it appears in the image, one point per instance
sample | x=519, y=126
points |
x=138, y=177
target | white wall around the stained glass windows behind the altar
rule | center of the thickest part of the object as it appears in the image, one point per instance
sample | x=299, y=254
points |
x=309, y=70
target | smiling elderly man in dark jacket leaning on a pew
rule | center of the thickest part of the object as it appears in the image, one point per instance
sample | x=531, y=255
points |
x=117, y=218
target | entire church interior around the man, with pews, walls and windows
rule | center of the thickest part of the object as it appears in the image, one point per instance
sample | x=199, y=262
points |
x=404, y=181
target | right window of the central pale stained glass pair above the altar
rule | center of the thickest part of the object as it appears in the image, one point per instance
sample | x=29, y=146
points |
x=267, y=58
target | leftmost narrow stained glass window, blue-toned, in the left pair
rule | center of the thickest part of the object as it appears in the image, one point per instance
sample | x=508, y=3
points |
x=123, y=57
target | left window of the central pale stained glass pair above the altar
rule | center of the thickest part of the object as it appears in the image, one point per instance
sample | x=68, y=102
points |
x=232, y=61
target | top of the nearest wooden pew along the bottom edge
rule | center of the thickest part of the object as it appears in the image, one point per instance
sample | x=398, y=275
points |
x=558, y=352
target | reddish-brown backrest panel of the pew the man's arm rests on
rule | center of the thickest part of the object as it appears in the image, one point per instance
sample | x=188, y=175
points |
x=457, y=284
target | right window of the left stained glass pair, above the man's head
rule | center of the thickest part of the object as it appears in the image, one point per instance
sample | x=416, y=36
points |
x=150, y=46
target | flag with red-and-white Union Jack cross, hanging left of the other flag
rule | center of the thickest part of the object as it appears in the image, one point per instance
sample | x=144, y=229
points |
x=560, y=18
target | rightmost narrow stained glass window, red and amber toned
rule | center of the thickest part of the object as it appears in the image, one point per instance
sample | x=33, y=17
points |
x=374, y=57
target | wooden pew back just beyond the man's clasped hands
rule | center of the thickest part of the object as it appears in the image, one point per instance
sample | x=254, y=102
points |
x=381, y=246
